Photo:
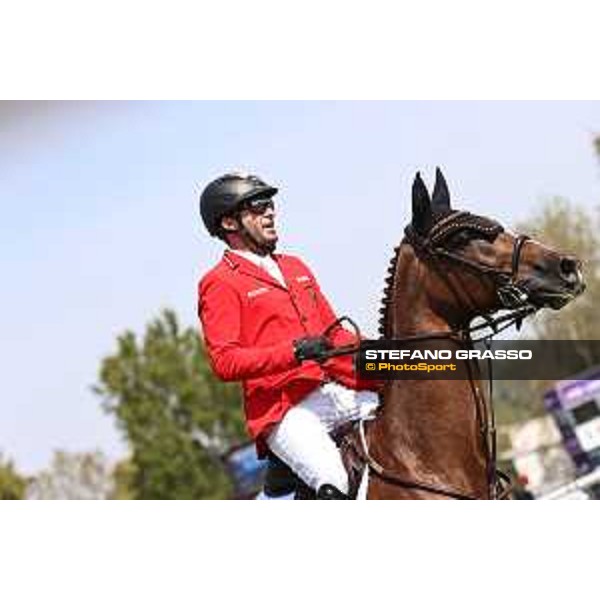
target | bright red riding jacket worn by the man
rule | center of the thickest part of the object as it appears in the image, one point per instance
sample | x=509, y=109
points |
x=250, y=321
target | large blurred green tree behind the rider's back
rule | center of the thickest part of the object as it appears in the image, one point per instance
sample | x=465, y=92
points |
x=177, y=418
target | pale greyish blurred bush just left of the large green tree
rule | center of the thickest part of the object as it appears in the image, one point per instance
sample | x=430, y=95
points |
x=73, y=476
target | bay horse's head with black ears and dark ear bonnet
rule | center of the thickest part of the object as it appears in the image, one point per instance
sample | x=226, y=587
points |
x=474, y=266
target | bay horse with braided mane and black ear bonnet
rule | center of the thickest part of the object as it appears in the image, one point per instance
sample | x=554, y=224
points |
x=433, y=439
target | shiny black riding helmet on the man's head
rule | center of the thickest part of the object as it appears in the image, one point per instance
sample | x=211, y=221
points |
x=222, y=196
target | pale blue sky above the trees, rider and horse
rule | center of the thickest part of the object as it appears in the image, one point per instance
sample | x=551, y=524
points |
x=100, y=226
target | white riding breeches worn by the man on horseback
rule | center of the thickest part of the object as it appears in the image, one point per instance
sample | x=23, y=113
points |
x=302, y=438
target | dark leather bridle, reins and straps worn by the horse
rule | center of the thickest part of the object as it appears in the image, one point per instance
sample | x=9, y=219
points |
x=512, y=296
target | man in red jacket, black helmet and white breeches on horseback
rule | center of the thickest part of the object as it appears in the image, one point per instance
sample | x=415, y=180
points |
x=263, y=316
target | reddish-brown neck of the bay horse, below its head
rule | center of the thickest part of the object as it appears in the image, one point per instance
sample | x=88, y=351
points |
x=428, y=425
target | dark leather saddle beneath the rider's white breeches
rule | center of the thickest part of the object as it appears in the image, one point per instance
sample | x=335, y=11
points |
x=280, y=480
